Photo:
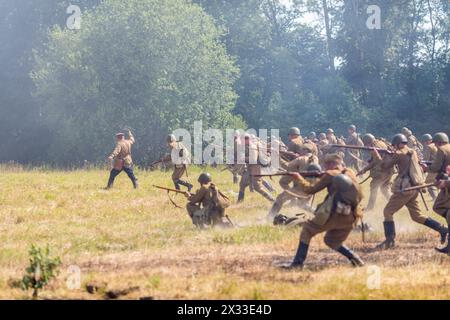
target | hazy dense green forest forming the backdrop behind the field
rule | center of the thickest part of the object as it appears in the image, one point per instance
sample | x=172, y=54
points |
x=157, y=65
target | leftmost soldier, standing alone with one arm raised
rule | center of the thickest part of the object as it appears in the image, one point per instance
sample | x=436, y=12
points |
x=121, y=159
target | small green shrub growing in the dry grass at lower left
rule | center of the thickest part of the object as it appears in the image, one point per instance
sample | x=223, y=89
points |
x=41, y=270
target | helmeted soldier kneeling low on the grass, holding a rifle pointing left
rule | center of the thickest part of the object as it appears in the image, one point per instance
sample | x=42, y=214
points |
x=207, y=206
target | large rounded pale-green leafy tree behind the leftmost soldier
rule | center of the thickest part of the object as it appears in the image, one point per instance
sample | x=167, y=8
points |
x=151, y=65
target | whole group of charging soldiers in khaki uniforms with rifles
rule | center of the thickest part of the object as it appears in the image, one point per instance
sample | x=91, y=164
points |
x=402, y=169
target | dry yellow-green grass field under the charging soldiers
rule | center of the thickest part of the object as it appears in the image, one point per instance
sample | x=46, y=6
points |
x=138, y=243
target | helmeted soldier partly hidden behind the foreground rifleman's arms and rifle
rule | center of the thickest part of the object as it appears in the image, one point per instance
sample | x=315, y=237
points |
x=302, y=163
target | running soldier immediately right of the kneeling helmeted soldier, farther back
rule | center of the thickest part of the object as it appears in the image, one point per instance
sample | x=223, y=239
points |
x=253, y=159
